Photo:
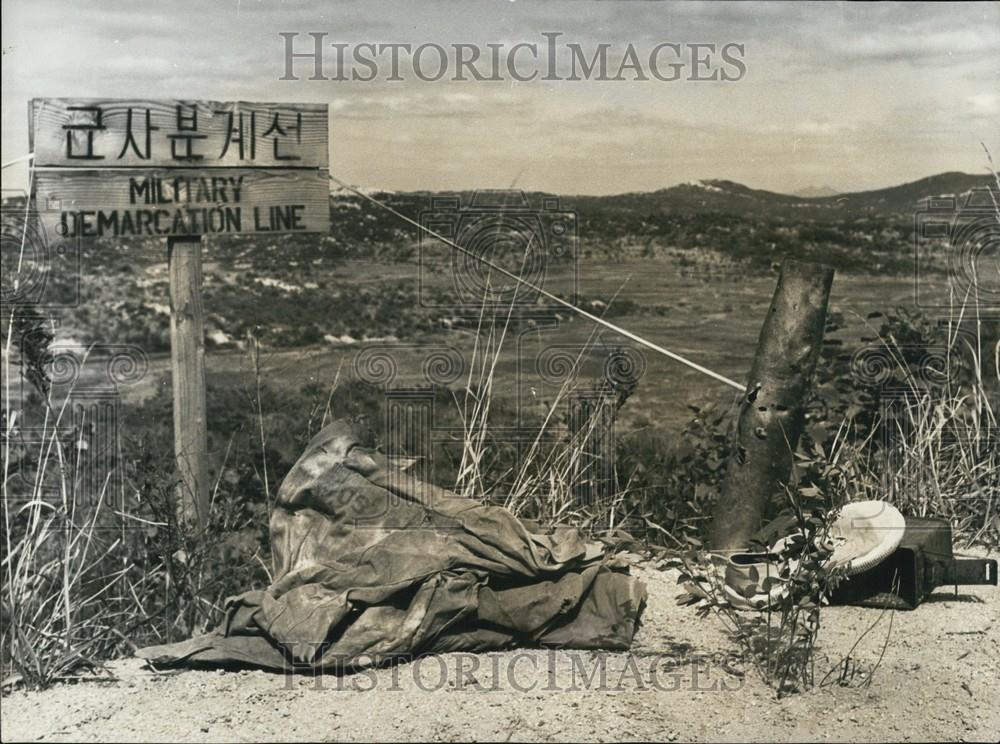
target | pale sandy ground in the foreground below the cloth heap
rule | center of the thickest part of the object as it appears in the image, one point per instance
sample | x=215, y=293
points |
x=938, y=681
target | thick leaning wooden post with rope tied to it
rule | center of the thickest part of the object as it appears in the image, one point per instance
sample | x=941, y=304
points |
x=772, y=413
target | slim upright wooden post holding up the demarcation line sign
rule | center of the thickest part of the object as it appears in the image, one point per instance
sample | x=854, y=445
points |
x=187, y=350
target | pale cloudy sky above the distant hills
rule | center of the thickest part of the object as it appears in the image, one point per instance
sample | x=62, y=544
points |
x=852, y=96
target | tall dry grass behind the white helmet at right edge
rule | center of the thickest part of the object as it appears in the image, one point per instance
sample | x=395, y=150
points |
x=935, y=446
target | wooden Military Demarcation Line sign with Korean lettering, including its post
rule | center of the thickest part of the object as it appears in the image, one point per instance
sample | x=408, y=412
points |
x=180, y=169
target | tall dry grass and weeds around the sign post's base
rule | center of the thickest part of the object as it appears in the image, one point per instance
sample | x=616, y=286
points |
x=91, y=567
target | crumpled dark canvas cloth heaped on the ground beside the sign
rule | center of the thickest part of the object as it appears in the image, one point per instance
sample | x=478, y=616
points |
x=373, y=564
